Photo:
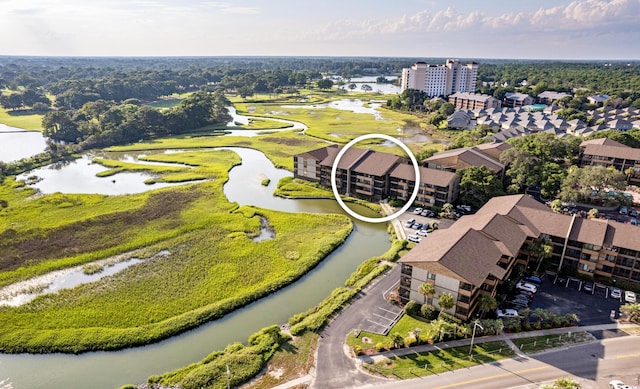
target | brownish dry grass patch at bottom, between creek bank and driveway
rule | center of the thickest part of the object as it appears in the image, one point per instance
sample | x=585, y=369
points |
x=291, y=361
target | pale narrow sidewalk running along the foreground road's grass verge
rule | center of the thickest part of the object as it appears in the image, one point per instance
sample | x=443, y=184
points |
x=494, y=338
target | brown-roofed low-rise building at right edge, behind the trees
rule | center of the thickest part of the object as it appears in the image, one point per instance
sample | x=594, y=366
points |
x=606, y=152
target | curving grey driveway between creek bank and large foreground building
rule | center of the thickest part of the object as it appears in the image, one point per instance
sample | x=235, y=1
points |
x=334, y=369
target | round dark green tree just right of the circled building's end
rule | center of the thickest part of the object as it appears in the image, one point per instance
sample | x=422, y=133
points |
x=478, y=184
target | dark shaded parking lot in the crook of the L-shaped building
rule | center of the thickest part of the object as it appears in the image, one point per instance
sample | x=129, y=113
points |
x=561, y=298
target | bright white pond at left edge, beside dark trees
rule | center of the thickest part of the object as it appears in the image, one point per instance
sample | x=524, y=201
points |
x=16, y=143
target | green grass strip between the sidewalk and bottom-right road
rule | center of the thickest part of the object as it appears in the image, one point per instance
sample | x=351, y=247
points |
x=440, y=361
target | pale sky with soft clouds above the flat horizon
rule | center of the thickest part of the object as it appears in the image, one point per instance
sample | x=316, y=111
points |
x=534, y=29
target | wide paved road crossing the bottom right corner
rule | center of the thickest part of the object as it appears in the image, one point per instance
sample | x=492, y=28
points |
x=593, y=365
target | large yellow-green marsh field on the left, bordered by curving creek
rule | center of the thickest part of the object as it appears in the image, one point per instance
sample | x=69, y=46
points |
x=163, y=296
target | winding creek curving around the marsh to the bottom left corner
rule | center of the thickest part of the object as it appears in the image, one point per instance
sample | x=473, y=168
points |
x=113, y=369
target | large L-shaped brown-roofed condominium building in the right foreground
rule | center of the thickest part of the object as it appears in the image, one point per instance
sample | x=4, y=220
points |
x=480, y=251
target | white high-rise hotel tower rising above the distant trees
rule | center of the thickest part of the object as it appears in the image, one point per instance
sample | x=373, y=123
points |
x=441, y=80
